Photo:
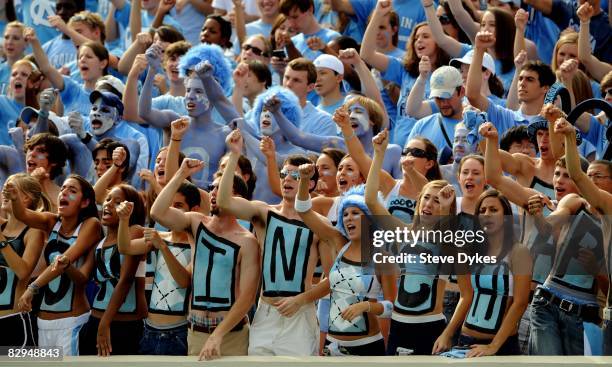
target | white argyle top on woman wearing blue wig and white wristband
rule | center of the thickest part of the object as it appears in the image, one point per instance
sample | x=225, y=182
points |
x=350, y=283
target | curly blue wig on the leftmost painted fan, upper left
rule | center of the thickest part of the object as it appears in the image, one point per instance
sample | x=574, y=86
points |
x=213, y=54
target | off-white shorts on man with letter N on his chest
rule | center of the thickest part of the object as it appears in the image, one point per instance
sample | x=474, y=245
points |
x=275, y=335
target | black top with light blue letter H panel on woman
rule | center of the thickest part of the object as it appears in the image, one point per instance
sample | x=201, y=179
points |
x=493, y=287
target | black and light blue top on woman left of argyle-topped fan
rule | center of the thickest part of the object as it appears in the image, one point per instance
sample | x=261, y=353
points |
x=107, y=274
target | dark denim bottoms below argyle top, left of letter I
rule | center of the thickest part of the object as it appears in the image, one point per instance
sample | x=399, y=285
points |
x=171, y=342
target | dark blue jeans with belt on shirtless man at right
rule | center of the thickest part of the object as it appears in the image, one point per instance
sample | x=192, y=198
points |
x=554, y=331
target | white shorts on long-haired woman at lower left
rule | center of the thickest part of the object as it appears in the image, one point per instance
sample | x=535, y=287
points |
x=62, y=333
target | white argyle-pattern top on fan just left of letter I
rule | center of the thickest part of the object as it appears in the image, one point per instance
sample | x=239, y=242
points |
x=167, y=297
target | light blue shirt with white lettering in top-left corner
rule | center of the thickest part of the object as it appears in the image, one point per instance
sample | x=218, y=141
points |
x=34, y=13
